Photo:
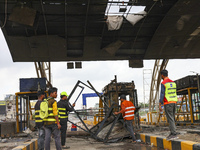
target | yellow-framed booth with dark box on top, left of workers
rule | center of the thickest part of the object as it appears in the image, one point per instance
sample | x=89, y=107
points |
x=28, y=93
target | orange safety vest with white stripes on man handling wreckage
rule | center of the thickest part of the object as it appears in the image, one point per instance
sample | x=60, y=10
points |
x=129, y=110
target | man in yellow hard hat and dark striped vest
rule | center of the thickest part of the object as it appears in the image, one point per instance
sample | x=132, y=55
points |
x=64, y=108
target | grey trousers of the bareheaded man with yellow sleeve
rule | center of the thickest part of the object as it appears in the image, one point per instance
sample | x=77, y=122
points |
x=52, y=129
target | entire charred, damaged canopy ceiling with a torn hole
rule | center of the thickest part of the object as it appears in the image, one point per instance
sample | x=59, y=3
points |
x=78, y=30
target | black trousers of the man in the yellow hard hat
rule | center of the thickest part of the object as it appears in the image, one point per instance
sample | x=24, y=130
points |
x=63, y=129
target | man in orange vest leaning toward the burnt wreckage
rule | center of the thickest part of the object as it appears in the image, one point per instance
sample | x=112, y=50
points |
x=127, y=110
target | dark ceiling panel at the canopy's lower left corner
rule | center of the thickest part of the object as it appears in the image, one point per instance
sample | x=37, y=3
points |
x=36, y=48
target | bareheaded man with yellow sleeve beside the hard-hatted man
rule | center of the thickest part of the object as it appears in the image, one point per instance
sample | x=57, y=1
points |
x=51, y=123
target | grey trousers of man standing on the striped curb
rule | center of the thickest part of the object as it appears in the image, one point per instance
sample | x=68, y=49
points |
x=170, y=114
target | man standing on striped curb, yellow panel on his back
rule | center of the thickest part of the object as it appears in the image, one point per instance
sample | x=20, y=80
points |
x=169, y=97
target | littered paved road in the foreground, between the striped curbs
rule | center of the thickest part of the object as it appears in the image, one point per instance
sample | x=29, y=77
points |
x=91, y=144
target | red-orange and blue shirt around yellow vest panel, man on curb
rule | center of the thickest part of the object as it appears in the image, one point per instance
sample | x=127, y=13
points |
x=163, y=99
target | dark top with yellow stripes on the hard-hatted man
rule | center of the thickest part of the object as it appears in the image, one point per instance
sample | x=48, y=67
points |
x=64, y=108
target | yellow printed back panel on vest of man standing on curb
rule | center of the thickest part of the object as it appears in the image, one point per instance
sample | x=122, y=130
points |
x=170, y=91
